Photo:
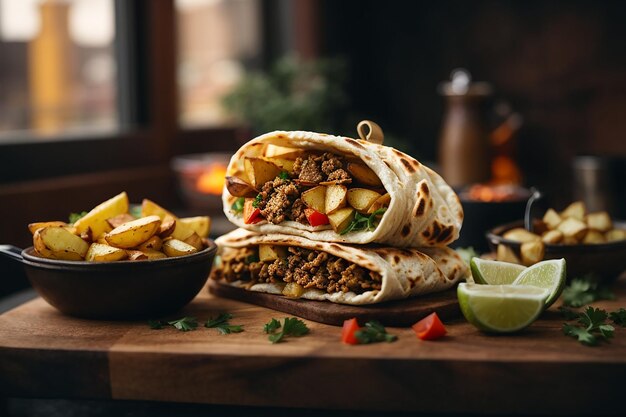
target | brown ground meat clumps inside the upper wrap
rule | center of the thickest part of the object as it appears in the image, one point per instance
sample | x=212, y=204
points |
x=280, y=198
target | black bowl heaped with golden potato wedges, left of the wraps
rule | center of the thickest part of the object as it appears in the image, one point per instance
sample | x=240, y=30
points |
x=111, y=264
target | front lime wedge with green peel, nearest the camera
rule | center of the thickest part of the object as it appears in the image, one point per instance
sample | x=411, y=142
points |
x=501, y=308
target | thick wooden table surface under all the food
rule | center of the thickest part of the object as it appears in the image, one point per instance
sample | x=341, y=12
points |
x=46, y=354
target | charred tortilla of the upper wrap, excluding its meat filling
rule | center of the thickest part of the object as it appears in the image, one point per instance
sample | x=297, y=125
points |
x=423, y=210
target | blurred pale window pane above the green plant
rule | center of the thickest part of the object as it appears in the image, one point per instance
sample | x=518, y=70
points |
x=217, y=40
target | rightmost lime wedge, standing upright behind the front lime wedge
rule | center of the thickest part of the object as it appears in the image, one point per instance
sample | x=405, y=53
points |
x=549, y=275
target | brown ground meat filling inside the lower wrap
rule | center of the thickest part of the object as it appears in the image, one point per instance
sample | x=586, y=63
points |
x=309, y=268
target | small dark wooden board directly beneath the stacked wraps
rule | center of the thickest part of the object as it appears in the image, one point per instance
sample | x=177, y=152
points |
x=401, y=313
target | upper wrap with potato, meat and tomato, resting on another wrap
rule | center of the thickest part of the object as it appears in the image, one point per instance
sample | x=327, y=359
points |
x=337, y=189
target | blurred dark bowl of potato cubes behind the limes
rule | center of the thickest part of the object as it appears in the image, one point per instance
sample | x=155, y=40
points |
x=591, y=242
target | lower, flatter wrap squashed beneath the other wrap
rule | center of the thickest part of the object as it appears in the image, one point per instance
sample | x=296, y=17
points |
x=298, y=267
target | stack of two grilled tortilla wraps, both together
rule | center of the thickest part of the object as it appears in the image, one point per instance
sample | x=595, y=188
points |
x=331, y=218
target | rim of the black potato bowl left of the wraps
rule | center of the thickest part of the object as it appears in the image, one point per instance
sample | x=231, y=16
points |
x=36, y=261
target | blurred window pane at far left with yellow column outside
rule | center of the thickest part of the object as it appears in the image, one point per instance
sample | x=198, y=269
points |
x=57, y=68
